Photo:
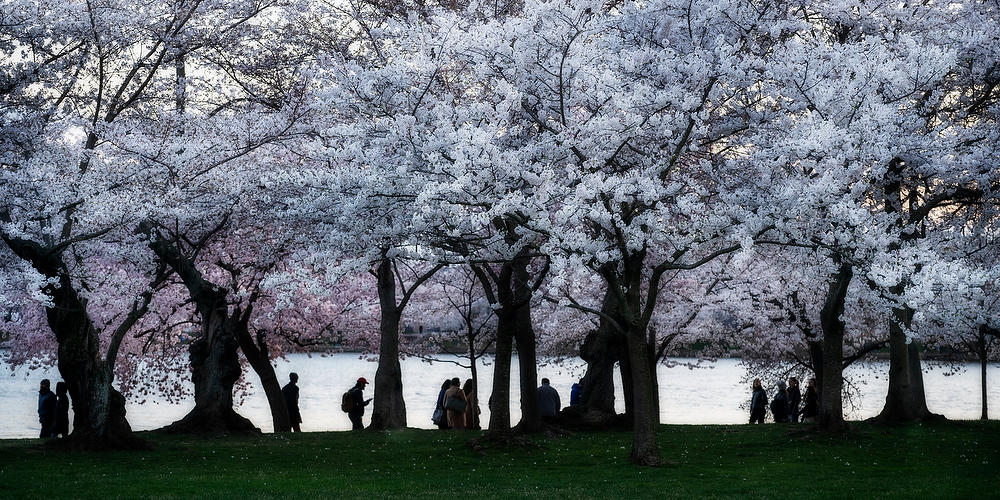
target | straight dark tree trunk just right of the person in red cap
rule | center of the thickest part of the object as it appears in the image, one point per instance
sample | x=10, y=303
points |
x=389, y=410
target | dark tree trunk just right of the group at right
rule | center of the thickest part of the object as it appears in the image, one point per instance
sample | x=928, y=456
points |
x=831, y=412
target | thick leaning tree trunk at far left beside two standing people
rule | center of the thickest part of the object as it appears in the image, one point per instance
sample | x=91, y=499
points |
x=98, y=409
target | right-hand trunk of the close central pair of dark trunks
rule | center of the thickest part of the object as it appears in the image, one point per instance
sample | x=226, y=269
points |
x=531, y=420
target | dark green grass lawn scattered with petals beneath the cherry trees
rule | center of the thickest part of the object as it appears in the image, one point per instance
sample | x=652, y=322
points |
x=949, y=460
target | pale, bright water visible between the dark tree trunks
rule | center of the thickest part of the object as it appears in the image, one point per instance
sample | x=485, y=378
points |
x=709, y=395
